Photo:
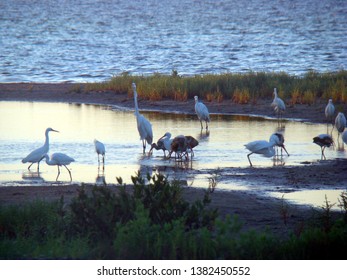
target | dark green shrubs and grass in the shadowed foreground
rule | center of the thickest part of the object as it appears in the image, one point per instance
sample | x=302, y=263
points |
x=153, y=221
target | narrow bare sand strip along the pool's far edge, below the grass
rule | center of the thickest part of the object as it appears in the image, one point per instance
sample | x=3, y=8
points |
x=67, y=93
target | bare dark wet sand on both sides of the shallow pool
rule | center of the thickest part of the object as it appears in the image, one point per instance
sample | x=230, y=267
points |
x=256, y=212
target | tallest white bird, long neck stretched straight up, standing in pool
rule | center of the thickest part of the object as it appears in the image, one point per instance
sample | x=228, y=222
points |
x=143, y=125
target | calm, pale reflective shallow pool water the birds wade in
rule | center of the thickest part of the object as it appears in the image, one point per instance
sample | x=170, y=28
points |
x=22, y=126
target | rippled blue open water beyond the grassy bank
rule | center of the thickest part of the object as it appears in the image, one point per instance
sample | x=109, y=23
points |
x=88, y=40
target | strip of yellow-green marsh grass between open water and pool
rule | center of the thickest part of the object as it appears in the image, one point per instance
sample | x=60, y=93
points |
x=241, y=88
